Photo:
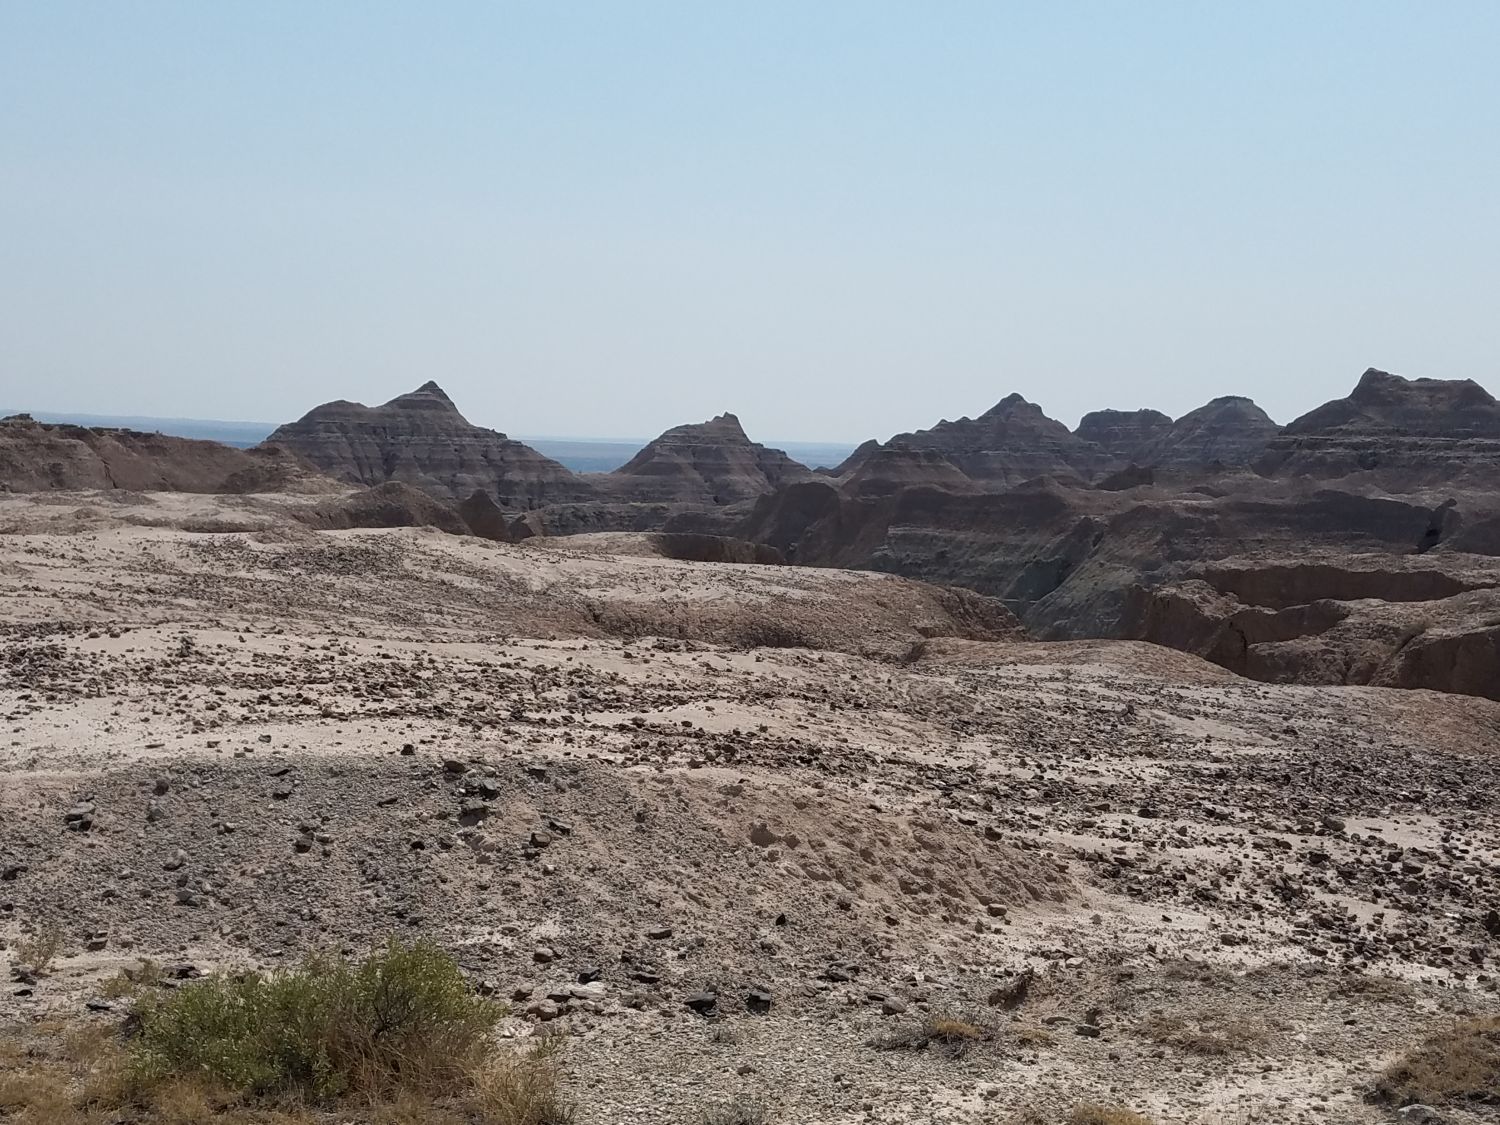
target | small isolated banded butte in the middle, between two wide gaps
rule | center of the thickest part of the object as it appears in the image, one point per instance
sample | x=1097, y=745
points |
x=709, y=463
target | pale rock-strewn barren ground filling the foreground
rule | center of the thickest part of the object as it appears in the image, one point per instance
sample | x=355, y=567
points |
x=739, y=835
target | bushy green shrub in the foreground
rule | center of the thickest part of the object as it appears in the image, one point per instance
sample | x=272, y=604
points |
x=403, y=1019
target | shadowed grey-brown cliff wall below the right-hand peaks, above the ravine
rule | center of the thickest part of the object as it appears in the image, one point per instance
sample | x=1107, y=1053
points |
x=1064, y=557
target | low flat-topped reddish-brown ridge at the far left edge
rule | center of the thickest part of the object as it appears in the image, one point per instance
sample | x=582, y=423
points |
x=44, y=458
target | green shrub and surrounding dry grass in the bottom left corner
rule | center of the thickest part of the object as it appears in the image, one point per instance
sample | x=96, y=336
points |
x=398, y=1037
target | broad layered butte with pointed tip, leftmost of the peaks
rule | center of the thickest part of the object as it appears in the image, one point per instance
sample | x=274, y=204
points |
x=424, y=440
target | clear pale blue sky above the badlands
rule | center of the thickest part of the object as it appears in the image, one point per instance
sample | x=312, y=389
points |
x=838, y=220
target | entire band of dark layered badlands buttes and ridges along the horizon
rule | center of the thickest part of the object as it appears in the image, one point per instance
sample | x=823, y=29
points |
x=1342, y=550
